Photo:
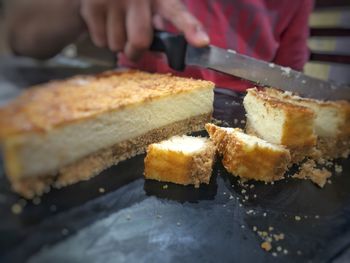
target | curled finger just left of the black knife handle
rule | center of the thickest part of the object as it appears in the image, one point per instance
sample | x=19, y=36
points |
x=139, y=29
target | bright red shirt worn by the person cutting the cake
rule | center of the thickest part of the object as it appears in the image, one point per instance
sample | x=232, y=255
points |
x=271, y=30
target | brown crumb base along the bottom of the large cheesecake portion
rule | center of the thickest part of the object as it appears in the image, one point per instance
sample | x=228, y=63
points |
x=91, y=165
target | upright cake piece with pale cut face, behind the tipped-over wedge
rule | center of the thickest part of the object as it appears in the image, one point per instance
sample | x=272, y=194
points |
x=281, y=122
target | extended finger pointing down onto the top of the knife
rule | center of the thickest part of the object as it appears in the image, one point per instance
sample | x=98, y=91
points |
x=177, y=14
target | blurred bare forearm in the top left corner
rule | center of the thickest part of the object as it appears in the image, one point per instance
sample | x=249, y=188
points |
x=41, y=28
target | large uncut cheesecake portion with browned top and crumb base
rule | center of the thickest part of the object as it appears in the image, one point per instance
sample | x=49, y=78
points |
x=67, y=131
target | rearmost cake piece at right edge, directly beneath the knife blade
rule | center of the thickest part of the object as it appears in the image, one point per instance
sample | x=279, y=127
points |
x=332, y=123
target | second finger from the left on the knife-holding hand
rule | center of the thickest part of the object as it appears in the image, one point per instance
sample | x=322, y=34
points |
x=116, y=33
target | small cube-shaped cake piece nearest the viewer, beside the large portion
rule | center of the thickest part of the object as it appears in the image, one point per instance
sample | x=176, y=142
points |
x=181, y=159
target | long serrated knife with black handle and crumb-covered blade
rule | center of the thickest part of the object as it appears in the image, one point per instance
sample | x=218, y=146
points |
x=180, y=54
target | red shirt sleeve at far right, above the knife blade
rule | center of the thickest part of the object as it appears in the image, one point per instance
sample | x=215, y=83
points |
x=293, y=51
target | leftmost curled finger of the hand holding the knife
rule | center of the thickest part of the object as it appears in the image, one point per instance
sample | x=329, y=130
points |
x=95, y=18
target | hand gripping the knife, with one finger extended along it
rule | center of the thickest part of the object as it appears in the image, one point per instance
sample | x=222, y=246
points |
x=127, y=25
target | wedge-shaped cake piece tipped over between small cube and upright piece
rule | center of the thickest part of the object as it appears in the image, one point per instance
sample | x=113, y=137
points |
x=248, y=156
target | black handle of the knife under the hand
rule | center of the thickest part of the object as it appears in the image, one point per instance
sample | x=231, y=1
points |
x=173, y=45
